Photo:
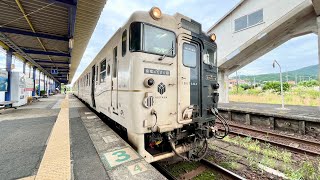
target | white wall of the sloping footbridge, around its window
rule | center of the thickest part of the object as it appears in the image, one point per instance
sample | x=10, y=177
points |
x=228, y=40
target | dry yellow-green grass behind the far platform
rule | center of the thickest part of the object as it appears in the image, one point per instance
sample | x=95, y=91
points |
x=295, y=96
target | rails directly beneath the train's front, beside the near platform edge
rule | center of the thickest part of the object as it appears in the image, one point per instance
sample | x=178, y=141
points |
x=205, y=164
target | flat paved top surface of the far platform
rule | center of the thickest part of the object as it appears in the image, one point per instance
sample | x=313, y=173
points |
x=300, y=112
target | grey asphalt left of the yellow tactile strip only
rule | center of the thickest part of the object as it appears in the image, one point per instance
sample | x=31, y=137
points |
x=23, y=136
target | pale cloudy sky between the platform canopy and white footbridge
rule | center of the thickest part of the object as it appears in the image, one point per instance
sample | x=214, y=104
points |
x=117, y=12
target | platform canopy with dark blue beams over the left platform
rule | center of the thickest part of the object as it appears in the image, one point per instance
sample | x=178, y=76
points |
x=50, y=34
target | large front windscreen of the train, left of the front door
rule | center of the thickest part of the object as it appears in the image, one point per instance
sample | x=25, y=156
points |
x=151, y=39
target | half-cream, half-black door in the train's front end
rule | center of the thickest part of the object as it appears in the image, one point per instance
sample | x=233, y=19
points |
x=189, y=78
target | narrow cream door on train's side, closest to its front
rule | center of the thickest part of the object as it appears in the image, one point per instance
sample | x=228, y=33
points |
x=114, y=87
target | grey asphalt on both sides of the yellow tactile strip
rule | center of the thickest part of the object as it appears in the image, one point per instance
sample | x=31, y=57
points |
x=24, y=133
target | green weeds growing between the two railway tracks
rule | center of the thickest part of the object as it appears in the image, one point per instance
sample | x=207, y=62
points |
x=271, y=155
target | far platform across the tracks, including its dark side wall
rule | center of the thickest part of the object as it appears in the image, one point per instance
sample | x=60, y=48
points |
x=300, y=119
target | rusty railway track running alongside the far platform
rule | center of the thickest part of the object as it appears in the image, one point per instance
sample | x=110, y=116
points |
x=291, y=143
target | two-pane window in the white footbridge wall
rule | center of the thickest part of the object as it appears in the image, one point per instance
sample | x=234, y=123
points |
x=248, y=20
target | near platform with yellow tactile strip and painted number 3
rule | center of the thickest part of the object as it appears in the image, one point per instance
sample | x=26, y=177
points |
x=60, y=138
